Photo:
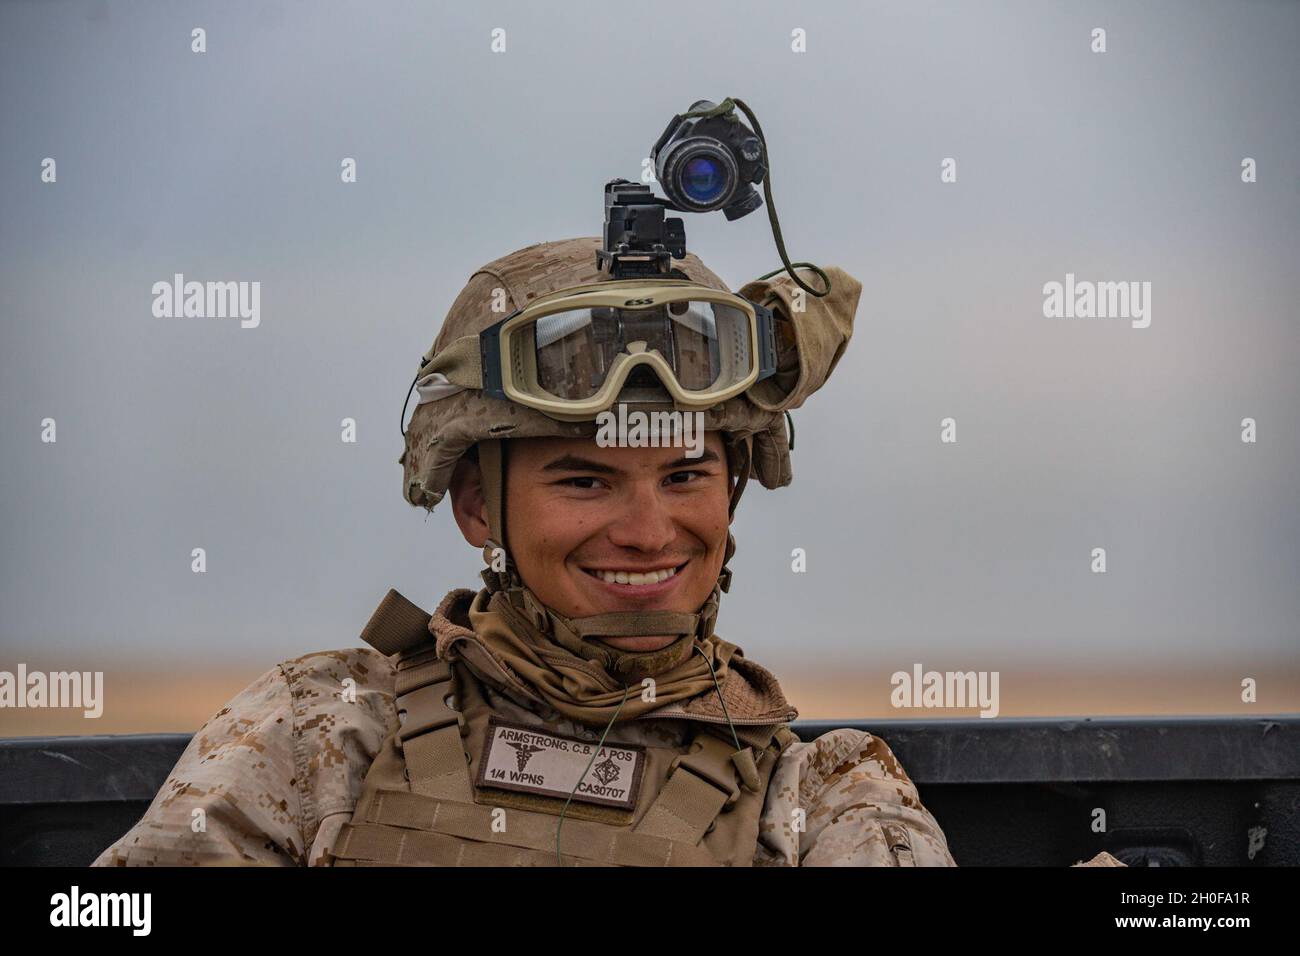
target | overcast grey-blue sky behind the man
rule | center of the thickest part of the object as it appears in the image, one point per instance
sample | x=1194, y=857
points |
x=176, y=434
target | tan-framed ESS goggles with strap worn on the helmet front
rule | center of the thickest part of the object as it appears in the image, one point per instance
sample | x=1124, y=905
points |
x=571, y=353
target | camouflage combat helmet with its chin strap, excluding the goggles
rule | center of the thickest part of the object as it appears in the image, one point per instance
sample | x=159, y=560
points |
x=450, y=419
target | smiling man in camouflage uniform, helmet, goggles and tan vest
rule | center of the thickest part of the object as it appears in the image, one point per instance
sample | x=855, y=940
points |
x=580, y=708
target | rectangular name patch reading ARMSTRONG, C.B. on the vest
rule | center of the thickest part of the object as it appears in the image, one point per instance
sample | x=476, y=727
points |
x=538, y=762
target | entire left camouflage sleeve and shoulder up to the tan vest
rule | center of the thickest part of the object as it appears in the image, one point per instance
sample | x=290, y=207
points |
x=276, y=773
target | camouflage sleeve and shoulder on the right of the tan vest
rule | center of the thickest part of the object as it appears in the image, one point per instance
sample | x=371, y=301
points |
x=844, y=801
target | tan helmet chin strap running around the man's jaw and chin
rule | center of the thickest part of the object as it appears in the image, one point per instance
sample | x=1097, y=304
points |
x=582, y=635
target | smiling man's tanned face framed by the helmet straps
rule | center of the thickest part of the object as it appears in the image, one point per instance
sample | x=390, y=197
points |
x=596, y=530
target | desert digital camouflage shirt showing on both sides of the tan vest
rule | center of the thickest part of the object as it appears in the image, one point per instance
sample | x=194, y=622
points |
x=278, y=773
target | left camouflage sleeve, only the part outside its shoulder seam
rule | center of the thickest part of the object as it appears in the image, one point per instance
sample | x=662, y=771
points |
x=232, y=797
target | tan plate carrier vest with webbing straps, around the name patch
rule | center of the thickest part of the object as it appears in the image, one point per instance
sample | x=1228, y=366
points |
x=699, y=803
